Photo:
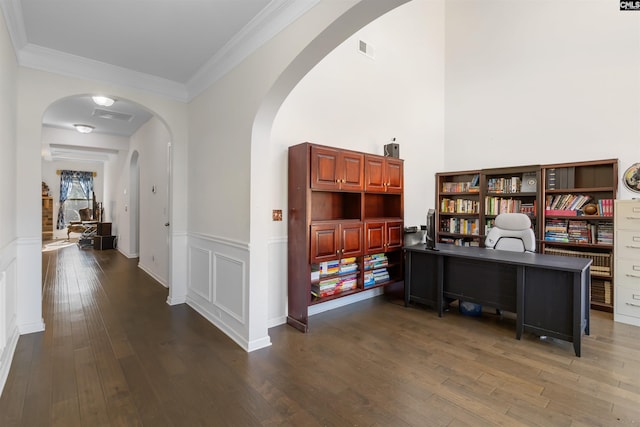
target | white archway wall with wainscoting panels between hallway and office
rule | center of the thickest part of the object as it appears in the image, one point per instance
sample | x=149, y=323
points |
x=228, y=157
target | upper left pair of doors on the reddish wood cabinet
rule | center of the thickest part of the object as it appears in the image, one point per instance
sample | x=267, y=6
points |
x=334, y=169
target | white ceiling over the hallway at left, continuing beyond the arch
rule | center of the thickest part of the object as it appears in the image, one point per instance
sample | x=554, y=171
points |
x=174, y=48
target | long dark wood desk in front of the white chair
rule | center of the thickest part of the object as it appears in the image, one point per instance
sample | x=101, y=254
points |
x=548, y=293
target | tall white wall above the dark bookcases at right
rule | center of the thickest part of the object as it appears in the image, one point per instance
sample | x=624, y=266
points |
x=541, y=82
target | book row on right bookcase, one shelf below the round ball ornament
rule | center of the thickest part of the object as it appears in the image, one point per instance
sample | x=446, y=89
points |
x=578, y=231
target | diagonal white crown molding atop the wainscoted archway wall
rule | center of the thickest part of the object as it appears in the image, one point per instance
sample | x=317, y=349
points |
x=269, y=22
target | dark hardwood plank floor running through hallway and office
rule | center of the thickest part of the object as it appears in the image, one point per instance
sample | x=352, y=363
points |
x=115, y=354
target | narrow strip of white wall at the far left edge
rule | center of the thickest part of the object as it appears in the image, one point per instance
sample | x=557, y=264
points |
x=8, y=209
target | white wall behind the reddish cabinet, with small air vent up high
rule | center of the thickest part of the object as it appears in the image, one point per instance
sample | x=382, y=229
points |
x=353, y=101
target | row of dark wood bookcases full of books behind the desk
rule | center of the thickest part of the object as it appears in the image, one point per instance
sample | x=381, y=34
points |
x=568, y=228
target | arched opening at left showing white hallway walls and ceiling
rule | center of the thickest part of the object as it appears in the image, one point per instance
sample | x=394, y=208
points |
x=127, y=151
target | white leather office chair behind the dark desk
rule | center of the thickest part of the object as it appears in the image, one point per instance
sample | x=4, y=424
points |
x=512, y=232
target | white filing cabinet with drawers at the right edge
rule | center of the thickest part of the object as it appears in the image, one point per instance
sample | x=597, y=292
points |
x=627, y=262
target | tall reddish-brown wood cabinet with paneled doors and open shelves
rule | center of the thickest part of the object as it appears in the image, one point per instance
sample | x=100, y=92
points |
x=343, y=238
